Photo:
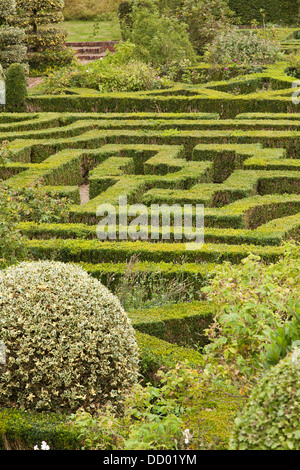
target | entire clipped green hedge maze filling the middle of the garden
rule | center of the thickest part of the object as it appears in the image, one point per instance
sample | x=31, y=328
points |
x=242, y=165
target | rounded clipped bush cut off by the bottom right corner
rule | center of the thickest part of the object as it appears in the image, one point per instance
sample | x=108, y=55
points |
x=271, y=418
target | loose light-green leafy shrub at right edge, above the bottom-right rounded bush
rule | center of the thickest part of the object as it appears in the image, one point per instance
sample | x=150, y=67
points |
x=250, y=300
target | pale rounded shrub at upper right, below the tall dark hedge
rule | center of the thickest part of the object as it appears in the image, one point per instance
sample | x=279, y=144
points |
x=233, y=46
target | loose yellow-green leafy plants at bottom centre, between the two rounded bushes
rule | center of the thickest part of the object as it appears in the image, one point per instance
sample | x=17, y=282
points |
x=155, y=416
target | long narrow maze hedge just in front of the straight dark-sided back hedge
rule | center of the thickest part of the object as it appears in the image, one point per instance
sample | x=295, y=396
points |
x=52, y=128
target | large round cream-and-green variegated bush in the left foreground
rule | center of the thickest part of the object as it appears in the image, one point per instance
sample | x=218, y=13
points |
x=69, y=343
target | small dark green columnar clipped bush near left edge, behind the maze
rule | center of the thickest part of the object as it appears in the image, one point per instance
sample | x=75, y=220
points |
x=16, y=89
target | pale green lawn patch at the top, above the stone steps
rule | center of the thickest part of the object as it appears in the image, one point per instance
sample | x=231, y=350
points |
x=84, y=31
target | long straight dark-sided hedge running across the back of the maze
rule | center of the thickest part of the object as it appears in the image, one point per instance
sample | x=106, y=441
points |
x=228, y=107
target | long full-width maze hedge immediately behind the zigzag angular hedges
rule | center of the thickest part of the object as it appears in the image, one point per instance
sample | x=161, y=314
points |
x=41, y=144
